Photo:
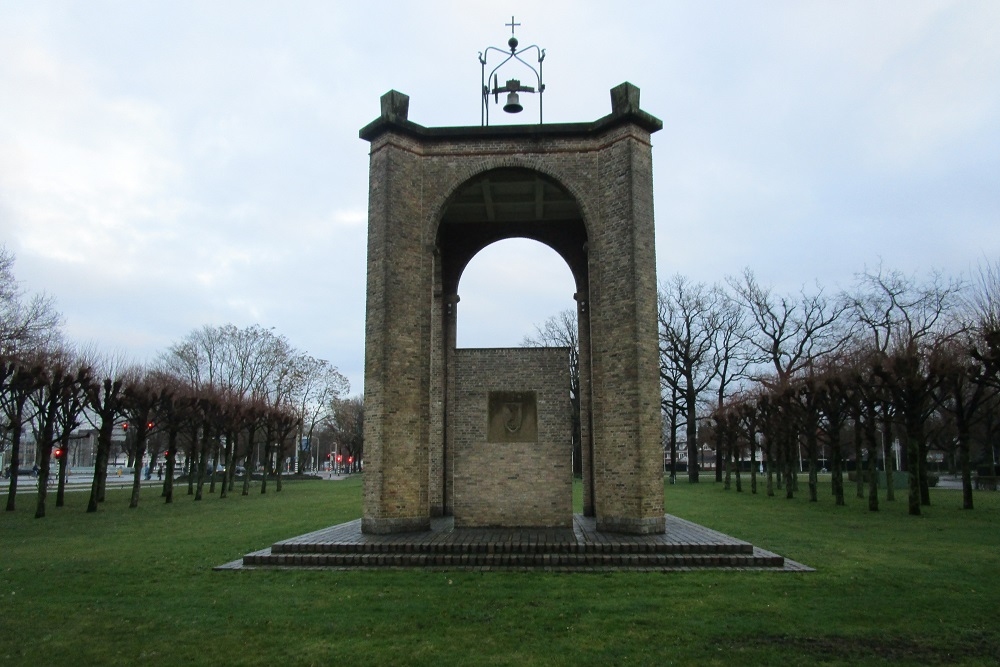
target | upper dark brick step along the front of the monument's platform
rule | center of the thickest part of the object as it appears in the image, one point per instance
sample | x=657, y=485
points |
x=518, y=548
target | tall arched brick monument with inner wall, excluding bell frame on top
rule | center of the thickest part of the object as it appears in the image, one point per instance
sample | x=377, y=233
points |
x=483, y=435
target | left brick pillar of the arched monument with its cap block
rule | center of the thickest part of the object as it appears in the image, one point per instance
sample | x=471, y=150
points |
x=397, y=333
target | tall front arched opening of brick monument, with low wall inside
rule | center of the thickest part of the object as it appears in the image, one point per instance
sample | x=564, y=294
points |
x=510, y=416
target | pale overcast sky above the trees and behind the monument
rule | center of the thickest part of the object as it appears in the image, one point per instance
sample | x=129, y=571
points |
x=169, y=164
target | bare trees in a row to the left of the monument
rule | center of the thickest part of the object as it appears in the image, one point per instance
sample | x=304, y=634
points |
x=221, y=398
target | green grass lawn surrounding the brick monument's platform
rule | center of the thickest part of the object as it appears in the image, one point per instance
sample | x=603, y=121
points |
x=128, y=587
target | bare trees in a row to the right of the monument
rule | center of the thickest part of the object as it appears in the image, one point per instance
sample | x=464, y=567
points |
x=892, y=357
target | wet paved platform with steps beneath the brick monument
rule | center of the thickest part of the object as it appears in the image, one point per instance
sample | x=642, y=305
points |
x=684, y=546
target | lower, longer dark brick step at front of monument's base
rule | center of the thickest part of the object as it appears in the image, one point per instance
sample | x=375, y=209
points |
x=512, y=560
